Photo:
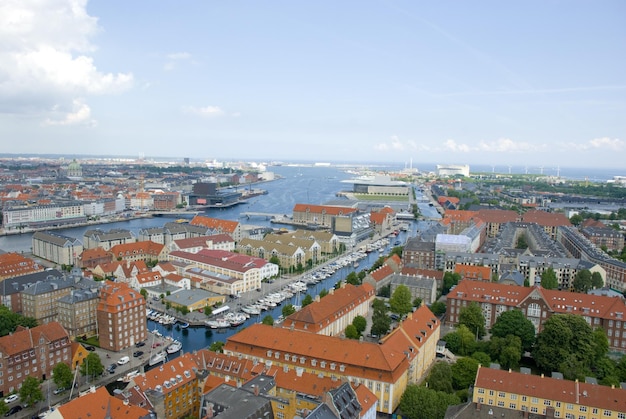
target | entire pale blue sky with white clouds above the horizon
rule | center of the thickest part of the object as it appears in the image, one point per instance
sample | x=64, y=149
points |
x=531, y=83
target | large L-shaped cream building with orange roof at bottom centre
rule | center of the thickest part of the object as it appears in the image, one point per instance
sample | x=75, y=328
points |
x=386, y=368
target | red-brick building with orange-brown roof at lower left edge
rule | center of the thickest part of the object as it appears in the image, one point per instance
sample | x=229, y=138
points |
x=32, y=352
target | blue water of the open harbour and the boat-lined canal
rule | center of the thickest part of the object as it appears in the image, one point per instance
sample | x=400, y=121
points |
x=296, y=185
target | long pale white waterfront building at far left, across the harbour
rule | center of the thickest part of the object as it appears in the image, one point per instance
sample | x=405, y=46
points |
x=15, y=217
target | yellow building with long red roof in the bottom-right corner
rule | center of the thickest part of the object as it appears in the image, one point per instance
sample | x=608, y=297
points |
x=552, y=397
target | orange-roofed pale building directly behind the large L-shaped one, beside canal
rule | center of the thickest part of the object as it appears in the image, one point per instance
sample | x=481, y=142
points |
x=332, y=314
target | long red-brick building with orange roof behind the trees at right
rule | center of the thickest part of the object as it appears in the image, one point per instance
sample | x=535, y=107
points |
x=538, y=304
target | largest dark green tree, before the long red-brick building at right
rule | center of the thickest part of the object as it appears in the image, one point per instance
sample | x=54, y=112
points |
x=564, y=335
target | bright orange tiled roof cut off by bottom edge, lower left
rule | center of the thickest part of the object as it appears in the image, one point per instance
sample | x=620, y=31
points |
x=101, y=405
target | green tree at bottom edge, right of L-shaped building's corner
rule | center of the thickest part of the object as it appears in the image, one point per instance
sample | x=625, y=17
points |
x=419, y=402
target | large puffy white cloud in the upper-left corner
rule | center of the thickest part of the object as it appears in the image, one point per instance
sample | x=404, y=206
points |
x=45, y=59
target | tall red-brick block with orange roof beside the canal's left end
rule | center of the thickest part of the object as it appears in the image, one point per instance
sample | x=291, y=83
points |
x=121, y=317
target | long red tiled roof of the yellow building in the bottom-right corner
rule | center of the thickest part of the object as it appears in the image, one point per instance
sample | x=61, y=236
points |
x=565, y=391
